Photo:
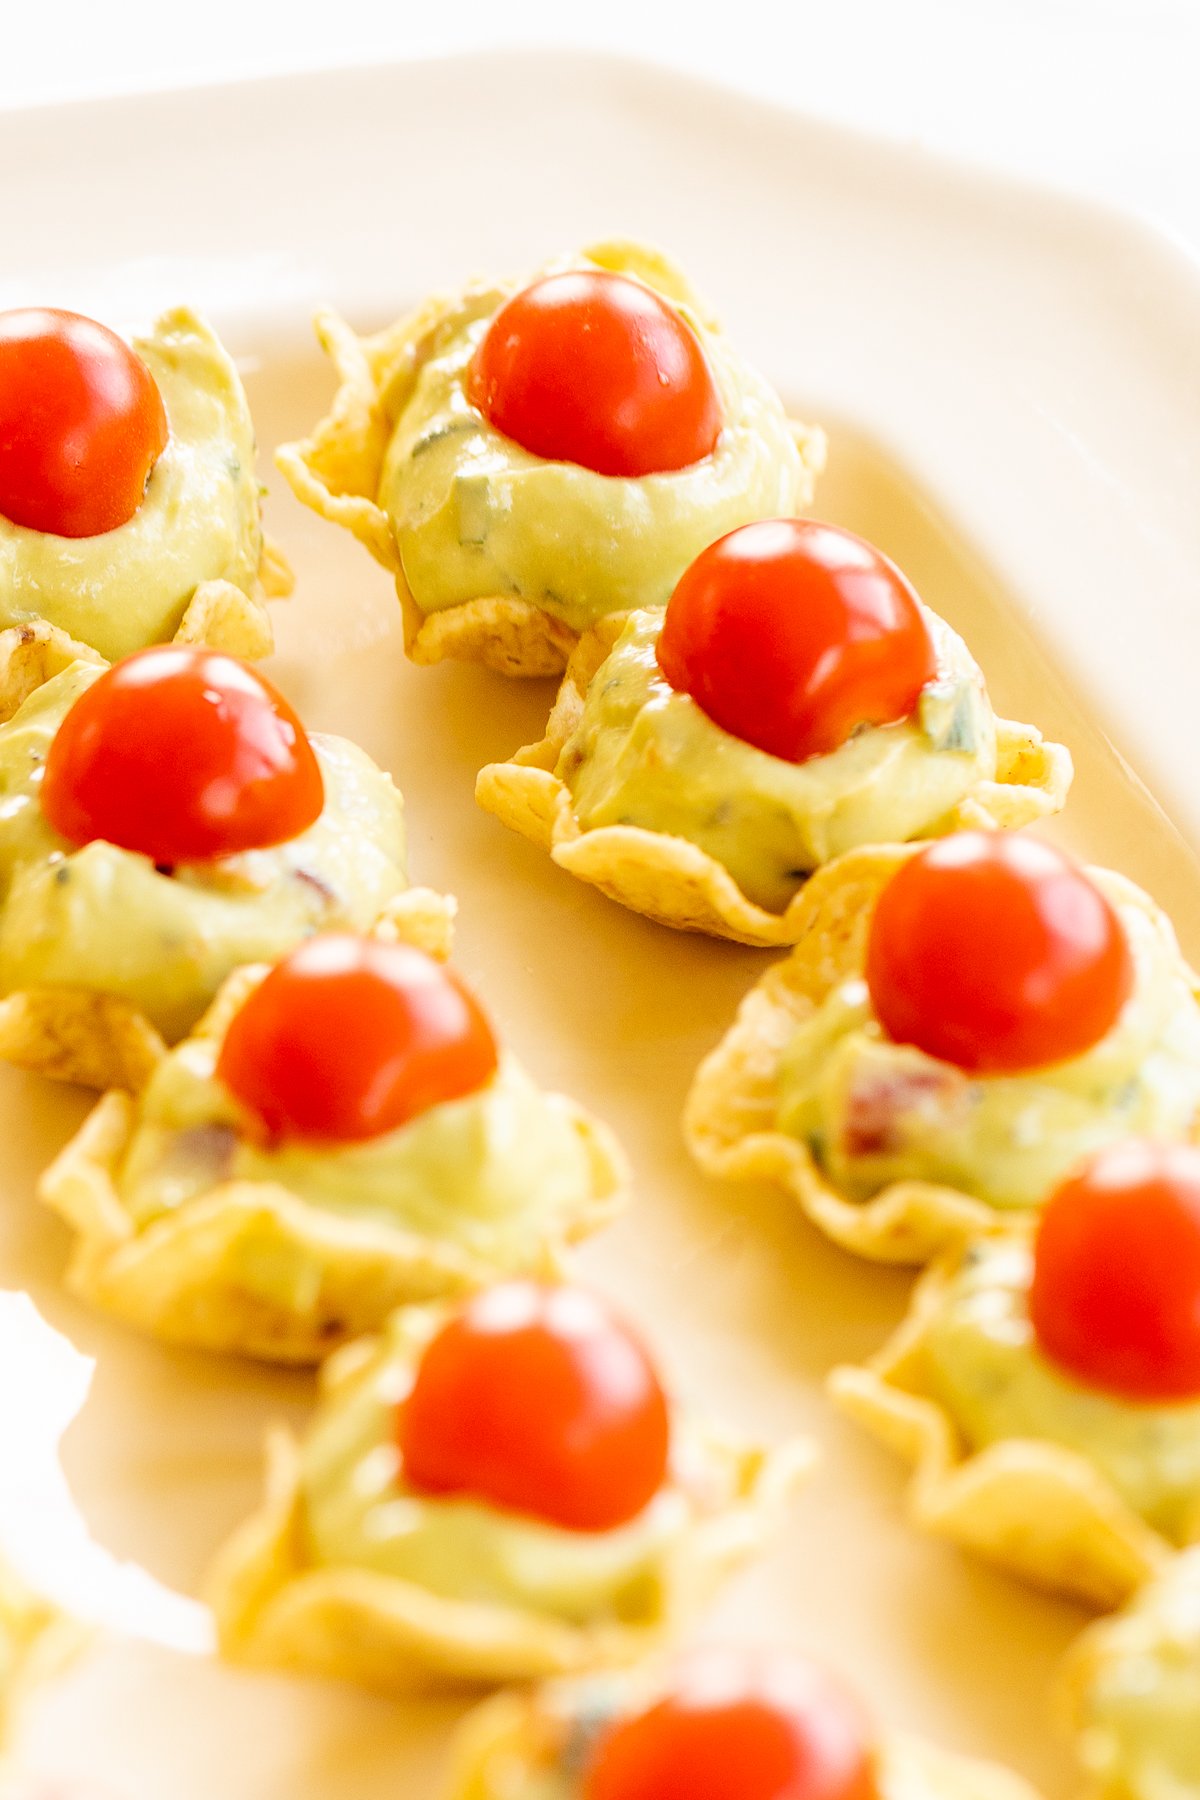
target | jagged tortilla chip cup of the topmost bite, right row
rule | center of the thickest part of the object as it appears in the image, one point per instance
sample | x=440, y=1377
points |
x=337, y=474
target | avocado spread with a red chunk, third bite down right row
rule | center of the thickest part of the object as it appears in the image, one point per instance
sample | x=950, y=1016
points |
x=875, y=1113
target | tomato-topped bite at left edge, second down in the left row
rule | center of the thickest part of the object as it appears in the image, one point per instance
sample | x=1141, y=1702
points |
x=163, y=823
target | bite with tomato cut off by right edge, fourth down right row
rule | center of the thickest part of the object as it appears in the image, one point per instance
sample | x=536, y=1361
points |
x=1048, y=1390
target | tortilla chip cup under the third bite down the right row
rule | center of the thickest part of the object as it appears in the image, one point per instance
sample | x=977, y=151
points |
x=730, y=1117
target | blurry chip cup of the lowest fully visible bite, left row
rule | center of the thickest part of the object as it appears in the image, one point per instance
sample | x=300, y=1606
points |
x=276, y=1608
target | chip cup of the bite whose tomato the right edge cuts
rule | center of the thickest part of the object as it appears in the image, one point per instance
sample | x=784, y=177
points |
x=1034, y=1507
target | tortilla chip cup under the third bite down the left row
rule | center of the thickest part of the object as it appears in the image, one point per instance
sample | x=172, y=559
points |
x=253, y=1268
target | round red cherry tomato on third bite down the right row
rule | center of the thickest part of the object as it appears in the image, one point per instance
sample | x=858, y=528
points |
x=998, y=953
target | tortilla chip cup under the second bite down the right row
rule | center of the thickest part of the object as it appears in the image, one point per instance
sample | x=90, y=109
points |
x=674, y=881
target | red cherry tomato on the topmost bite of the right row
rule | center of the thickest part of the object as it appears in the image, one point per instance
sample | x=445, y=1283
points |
x=598, y=370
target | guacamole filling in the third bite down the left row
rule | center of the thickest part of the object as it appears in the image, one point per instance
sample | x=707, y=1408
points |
x=488, y=1173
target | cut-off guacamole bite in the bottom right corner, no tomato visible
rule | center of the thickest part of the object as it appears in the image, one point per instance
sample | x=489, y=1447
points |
x=1134, y=1693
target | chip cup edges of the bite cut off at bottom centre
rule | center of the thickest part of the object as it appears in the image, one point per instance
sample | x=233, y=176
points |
x=512, y=1741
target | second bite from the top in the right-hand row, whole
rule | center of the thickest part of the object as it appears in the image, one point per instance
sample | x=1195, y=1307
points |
x=794, y=701
